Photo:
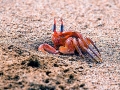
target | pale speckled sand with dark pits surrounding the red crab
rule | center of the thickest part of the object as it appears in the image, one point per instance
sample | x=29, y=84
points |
x=25, y=24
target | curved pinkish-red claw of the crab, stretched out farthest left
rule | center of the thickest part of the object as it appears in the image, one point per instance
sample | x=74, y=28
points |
x=47, y=48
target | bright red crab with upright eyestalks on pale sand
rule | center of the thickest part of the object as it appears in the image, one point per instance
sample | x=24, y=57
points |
x=69, y=42
